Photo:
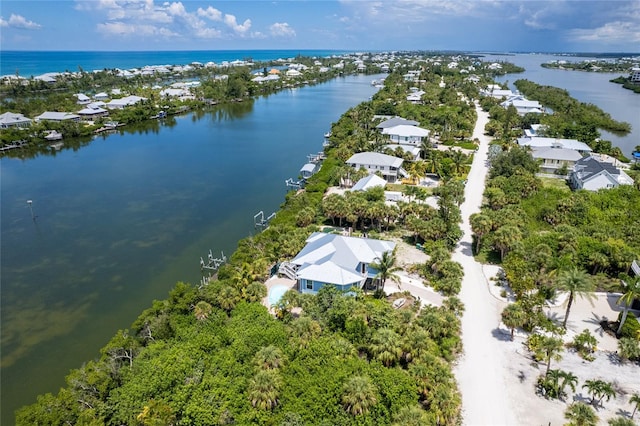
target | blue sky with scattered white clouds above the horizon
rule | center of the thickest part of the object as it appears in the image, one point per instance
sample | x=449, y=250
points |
x=117, y=25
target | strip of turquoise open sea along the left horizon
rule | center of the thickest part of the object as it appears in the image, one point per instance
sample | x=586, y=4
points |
x=28, y=63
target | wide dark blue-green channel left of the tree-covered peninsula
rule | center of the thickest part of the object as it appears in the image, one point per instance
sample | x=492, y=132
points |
x=121, y=220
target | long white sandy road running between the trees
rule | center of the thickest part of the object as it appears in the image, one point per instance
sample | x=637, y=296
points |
x=481, y=369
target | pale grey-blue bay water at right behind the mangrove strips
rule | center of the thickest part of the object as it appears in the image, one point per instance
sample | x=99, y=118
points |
x=594, y=88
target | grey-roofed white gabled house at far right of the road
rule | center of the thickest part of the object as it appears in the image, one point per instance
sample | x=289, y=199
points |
x=591, y=174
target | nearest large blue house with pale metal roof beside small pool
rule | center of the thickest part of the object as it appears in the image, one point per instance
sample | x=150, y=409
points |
x=336, y=260
